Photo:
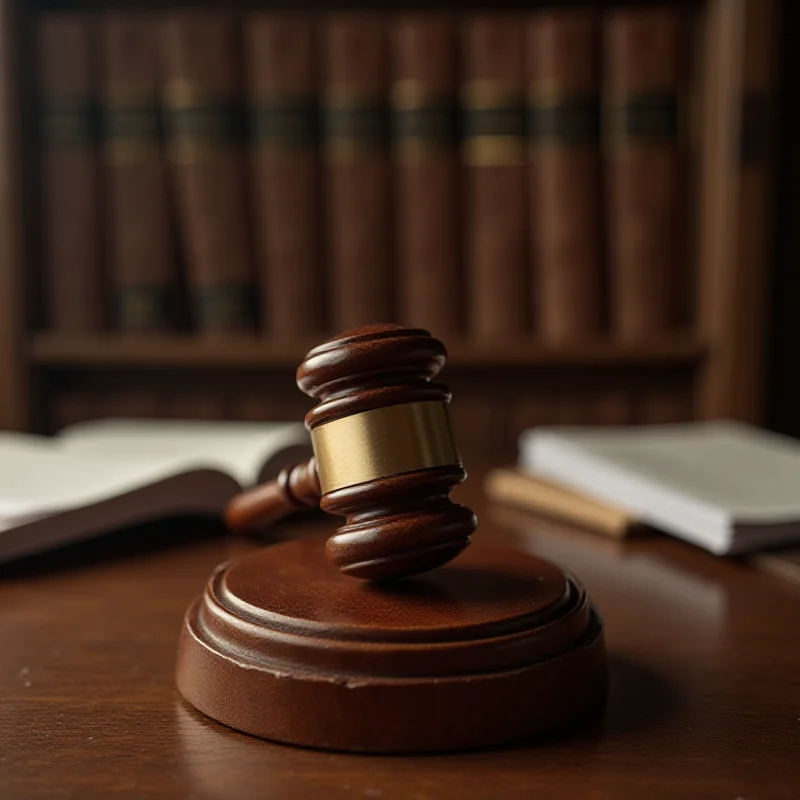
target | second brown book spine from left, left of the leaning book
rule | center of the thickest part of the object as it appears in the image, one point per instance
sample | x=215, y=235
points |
x=142, y=270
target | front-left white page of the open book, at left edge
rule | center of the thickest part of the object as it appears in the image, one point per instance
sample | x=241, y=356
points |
x=35, y=481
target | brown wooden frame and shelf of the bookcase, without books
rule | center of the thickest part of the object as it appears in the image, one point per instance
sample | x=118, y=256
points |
x=718, y=362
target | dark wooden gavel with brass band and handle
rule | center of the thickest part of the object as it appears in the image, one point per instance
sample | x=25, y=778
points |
x=384, y=456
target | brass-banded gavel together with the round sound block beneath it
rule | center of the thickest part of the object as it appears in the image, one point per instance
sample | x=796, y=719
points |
x=443, y=646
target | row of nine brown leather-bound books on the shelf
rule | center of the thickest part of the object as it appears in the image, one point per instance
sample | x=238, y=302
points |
x=490, y=175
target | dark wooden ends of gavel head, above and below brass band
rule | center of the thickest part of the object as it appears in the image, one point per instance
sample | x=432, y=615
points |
x=401, y=524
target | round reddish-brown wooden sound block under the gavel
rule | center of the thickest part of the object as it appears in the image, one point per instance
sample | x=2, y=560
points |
x=494, y=647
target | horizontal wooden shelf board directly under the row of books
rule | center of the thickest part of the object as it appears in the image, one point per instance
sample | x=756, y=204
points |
x=110, y=350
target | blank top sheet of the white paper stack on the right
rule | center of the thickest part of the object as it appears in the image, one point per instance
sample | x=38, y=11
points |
x=749, y=475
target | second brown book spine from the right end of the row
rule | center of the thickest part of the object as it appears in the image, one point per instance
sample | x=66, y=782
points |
x=564, y=132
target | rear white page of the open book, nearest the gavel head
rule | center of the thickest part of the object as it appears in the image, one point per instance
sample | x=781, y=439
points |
x=237, y=448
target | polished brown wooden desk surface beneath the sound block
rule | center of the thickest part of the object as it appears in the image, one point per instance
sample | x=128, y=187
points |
x=704, y=703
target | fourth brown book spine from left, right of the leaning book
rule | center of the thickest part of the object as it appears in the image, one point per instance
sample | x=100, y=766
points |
x=284, y=128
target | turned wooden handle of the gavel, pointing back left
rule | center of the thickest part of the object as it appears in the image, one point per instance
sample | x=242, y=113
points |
x=294, y=489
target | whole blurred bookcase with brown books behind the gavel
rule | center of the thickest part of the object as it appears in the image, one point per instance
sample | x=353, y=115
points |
x=593, y=205
